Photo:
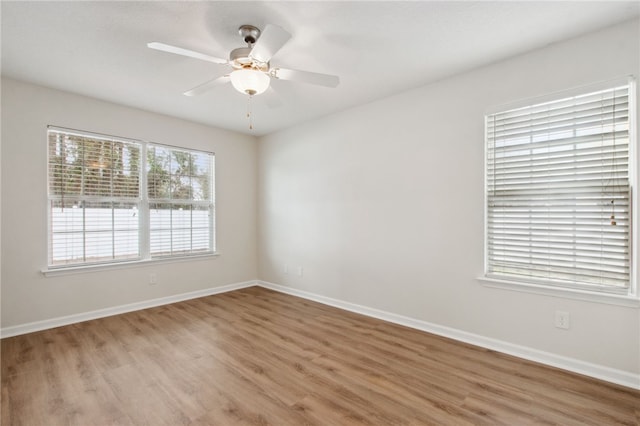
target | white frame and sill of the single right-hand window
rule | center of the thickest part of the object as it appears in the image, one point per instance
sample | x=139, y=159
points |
x=630, y=297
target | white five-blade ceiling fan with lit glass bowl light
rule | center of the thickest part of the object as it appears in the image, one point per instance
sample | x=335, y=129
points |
x=249, y=68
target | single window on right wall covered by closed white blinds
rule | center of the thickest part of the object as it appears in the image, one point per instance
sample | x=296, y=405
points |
x=558, y=192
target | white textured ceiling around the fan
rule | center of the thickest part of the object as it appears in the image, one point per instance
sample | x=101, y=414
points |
x=377, y=49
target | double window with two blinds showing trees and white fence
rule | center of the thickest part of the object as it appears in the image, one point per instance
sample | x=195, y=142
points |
x=102, y=209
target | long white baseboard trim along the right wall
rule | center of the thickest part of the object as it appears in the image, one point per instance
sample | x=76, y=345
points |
x=608, y=374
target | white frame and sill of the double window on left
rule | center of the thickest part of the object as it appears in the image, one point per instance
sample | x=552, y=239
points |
x=145, y=255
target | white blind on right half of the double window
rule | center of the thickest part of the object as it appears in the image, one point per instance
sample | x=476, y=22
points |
x=180, y=191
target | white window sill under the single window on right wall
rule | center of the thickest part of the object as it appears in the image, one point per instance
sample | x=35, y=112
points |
x=567, y=293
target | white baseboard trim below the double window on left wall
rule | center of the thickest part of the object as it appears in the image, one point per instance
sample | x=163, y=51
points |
x=115, y=310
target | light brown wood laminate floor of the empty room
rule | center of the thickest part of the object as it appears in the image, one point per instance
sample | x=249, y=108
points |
x=255, y=356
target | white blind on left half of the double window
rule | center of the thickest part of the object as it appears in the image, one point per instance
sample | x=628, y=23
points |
x=93, y=199
